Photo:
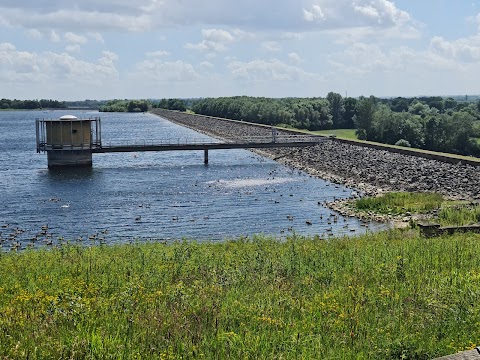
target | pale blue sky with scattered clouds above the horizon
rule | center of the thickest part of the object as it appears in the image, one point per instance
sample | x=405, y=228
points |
x=137, y=49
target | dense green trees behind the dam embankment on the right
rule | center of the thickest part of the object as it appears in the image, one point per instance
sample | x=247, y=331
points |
x=432, y=123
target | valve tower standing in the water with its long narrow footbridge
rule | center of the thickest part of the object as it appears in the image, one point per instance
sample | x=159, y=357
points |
x=69, y=141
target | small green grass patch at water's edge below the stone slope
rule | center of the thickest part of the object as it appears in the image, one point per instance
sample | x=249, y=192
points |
x=400, y=203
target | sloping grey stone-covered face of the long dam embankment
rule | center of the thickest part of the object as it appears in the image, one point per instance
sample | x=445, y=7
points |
x=369, y=170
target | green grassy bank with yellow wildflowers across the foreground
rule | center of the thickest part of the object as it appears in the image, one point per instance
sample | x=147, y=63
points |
x=386, y=295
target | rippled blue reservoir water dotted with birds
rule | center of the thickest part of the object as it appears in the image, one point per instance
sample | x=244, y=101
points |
x=128, y=197
